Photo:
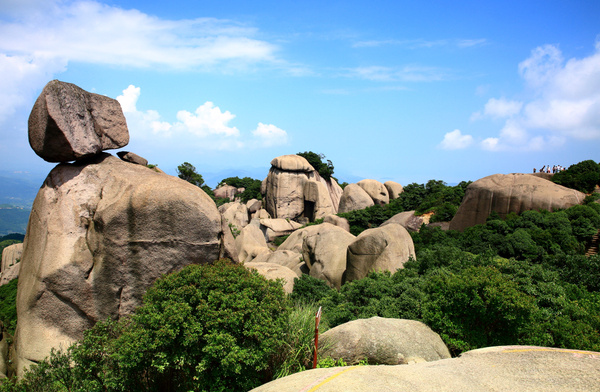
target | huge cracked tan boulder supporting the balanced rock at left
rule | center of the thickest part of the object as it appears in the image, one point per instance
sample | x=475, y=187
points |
x=99, y=235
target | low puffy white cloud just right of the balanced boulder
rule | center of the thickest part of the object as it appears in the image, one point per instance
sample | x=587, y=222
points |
x=208, y=127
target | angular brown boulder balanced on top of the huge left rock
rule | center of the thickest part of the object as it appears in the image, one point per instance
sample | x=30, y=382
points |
x=68, y=123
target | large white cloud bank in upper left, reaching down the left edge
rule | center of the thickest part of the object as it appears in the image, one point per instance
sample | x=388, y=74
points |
x=41, y=37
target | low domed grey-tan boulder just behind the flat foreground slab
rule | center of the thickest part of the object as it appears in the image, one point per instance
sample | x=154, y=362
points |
x=383, y=341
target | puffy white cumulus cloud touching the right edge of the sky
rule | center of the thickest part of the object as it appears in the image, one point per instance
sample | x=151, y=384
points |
x=564, y=103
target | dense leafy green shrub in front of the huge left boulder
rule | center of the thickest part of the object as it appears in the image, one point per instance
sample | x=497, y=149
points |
x=206, y=328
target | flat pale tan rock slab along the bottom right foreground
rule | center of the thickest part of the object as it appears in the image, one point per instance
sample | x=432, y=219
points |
x=505, y=368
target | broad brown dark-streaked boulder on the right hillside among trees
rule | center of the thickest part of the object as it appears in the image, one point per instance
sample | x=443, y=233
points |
x=506, y=193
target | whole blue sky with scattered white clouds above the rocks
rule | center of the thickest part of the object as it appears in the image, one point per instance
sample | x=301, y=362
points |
x=391, y=90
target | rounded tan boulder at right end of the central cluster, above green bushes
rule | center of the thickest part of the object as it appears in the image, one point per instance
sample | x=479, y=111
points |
x=384, y=248
